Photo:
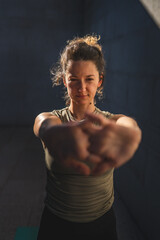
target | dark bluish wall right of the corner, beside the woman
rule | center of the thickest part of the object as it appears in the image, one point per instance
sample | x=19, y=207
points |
x=132, y=51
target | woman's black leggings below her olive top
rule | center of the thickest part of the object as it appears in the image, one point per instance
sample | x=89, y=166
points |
x=55, y=228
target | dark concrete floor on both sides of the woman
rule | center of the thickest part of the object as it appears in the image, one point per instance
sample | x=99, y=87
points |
x=22, y=185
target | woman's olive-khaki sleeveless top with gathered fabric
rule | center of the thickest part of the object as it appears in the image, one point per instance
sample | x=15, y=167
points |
x=76, y=197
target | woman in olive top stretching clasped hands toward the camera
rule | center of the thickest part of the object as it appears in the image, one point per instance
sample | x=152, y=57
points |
x=82, y=147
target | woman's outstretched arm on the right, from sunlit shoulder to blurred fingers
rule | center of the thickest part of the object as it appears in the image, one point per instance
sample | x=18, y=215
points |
x=115, y=142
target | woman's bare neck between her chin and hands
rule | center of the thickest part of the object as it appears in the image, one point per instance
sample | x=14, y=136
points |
x=79, y=111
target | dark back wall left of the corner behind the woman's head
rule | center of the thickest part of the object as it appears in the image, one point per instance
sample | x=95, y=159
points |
x=32, y=33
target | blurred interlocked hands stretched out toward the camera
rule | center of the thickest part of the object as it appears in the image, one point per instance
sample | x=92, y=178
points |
x=97, y=141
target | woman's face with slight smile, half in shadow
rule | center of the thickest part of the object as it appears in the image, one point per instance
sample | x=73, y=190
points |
x=82, y=81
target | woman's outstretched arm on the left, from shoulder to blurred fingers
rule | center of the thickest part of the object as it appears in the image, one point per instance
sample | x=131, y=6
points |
x=66, y=143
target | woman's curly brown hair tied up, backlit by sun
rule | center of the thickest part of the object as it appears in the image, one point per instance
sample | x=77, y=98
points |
x=84, y=48
